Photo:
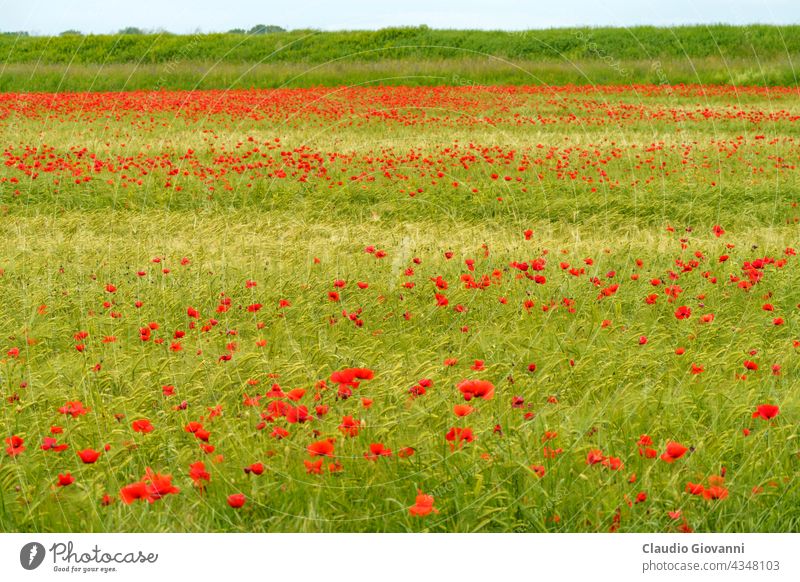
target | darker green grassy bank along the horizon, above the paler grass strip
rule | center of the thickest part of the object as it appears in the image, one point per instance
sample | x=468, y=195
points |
x=411, y=43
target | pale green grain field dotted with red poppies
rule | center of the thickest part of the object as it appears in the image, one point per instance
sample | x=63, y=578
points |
x=467, y=308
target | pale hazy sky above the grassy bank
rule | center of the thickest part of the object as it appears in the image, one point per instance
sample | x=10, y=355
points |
x=187, y=16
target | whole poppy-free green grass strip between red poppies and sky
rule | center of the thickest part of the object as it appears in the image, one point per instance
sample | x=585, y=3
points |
x=407, y=56
